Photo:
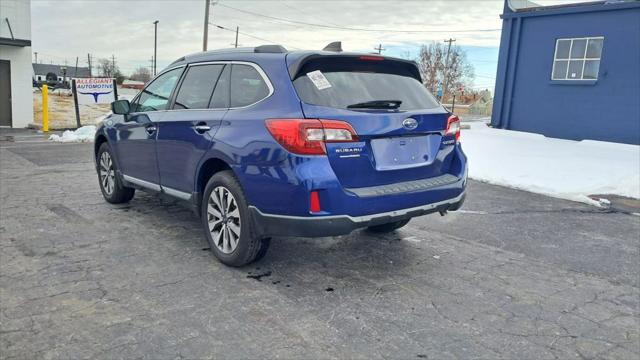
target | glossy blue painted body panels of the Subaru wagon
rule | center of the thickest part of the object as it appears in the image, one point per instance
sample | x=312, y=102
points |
x=274, y=180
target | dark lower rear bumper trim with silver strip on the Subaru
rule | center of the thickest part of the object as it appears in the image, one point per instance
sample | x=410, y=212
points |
x=333, y=225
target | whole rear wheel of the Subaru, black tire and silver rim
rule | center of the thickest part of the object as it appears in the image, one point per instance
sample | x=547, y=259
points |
x=225, y=212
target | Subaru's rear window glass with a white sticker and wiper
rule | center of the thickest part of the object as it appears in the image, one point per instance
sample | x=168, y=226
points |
x=340, y=82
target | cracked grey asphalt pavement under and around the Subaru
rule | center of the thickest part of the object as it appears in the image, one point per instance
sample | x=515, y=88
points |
x=514, y=275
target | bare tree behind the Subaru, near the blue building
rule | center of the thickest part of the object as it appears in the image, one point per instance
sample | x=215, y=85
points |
x=431, y=62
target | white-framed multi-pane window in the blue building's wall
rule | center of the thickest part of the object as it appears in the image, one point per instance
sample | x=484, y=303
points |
x=577, y=58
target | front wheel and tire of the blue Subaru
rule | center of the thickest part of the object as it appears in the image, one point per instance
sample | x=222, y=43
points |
x=111, y=186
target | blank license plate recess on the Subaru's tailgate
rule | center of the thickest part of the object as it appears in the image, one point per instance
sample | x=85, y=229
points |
x=401, y=152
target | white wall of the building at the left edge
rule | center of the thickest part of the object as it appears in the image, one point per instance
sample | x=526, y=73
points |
x=19, y=14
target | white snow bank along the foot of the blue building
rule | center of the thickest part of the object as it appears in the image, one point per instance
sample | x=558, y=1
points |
x=560, y=168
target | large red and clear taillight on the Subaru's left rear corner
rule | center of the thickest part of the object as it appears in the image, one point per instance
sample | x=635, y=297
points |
x=308, y=136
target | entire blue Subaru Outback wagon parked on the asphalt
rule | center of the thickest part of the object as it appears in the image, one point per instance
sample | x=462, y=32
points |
x=265, y=142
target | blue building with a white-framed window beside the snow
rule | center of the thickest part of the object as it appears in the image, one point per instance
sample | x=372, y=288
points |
x=570, y=71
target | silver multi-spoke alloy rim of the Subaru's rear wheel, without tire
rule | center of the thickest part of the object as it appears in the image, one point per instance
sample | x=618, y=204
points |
x=223, y=217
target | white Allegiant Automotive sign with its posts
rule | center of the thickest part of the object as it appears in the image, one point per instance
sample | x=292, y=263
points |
x=93, y=91
